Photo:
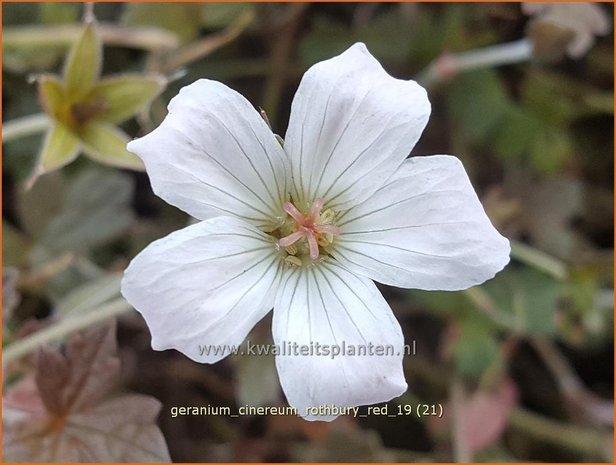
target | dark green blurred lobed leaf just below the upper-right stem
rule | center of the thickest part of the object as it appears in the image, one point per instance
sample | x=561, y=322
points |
x=535, y=129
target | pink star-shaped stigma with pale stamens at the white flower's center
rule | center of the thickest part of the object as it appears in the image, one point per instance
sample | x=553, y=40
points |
x=314, y=229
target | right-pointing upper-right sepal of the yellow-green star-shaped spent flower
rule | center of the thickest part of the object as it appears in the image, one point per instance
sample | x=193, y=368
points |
x=124, y=96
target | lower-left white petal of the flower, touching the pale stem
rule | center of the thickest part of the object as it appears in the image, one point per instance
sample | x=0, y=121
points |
x=205, y=285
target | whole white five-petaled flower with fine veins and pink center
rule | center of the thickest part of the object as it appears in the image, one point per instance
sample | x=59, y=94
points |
x=305, y=228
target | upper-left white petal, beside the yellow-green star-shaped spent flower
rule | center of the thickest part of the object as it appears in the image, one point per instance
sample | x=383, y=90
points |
x=213, y=154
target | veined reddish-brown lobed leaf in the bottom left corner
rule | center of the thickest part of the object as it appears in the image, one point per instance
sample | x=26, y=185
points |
x=72, y=421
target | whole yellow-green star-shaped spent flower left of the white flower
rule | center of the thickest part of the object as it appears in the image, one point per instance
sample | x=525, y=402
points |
x=85, y=108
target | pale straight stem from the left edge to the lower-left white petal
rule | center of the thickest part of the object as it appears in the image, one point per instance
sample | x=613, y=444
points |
x=63, y=328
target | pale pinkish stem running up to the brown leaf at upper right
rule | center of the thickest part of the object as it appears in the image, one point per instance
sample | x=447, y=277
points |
x=448, y=65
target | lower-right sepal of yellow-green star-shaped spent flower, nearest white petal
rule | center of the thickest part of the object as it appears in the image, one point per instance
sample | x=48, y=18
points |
x=106, y=144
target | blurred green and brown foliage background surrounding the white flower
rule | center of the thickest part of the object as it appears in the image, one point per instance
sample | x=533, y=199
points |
x=523, y=364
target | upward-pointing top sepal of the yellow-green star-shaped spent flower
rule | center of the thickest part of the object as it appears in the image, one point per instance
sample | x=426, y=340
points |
x=83, y=64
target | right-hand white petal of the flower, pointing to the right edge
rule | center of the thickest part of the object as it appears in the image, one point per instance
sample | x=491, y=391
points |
x=425, y=229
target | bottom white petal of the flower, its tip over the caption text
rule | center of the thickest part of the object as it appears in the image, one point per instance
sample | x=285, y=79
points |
x=329, y=306
